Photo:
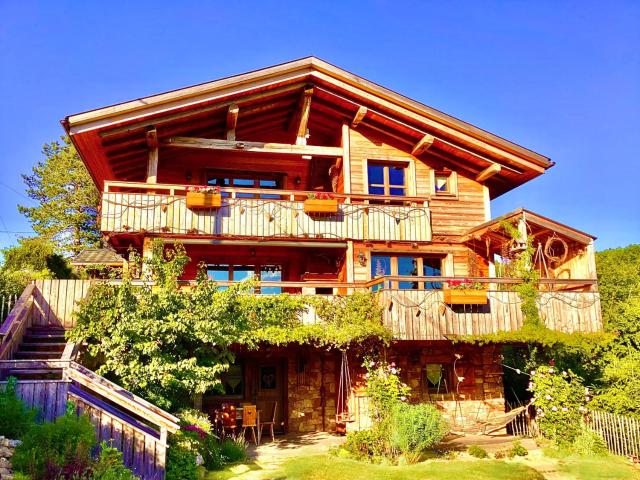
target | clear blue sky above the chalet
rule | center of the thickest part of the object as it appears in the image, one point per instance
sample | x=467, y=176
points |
x=561, y=78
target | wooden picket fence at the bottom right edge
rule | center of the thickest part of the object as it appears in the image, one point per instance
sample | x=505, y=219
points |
x=621, y=433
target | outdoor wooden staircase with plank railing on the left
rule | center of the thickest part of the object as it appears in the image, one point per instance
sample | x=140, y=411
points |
x=33, y=349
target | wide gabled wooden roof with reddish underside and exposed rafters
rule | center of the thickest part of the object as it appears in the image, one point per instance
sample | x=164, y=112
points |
x=111, y=140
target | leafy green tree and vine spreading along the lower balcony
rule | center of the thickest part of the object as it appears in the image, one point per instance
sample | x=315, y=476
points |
x=167, y=343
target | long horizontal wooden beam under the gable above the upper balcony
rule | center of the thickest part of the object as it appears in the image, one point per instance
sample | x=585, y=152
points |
x=253, y=147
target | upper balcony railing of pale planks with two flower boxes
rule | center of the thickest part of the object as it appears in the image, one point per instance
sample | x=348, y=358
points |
x=262, y=213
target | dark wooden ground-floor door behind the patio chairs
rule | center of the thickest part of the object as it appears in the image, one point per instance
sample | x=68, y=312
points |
x=269, y=388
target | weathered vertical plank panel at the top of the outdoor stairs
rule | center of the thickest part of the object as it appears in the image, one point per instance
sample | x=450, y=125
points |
x=55, y=301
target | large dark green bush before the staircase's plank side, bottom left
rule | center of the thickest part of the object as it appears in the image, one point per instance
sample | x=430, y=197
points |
x=51, y=450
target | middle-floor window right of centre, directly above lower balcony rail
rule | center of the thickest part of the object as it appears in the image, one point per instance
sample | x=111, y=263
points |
x=409, y=266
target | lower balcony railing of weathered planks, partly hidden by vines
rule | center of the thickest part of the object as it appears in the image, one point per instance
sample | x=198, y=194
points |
x=411, y=314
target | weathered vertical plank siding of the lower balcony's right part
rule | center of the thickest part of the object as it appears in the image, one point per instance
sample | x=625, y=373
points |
x=423, y=315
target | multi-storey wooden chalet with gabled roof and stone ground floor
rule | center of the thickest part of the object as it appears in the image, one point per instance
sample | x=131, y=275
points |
x=321, y=182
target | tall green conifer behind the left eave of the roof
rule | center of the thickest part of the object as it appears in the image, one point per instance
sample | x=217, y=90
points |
x=67, y=199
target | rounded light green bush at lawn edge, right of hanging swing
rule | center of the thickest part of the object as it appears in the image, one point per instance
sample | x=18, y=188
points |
x=416, y=428
